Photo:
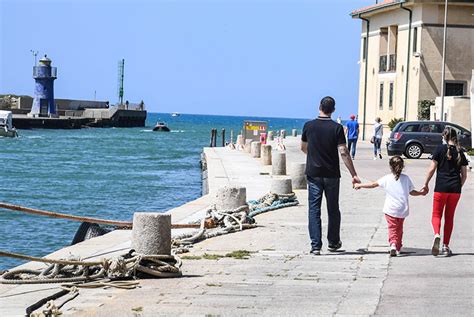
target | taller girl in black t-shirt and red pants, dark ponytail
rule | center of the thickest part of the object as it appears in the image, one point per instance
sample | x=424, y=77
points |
x=450, y=163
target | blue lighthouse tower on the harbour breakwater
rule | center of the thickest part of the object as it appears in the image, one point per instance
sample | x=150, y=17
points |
x=43, y=102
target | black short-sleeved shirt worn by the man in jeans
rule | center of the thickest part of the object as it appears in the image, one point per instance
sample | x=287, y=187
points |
x=323, y=136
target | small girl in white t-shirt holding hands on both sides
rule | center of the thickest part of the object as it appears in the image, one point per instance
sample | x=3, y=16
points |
x=398, y=188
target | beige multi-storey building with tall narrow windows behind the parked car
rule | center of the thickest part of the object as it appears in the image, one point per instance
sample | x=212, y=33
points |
x=401, y=57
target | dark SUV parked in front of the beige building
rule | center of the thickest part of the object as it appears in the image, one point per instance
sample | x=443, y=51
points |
x=413, y=138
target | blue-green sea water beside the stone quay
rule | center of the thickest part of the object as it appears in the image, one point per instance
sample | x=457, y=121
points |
x=107, y=173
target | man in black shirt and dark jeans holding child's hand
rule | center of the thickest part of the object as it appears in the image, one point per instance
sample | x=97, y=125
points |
x=323, y=140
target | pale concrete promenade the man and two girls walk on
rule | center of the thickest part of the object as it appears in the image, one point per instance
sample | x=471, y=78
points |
x=280, y=277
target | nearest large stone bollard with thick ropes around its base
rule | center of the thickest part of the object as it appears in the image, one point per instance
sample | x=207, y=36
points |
x=151, y=233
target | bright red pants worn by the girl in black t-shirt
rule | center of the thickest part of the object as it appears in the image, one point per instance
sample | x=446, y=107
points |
x=446, y=202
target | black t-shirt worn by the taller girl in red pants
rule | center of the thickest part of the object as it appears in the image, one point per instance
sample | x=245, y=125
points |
x=448, y=173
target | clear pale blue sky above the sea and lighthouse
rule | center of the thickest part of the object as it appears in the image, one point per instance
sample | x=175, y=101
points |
x=260, y=57
